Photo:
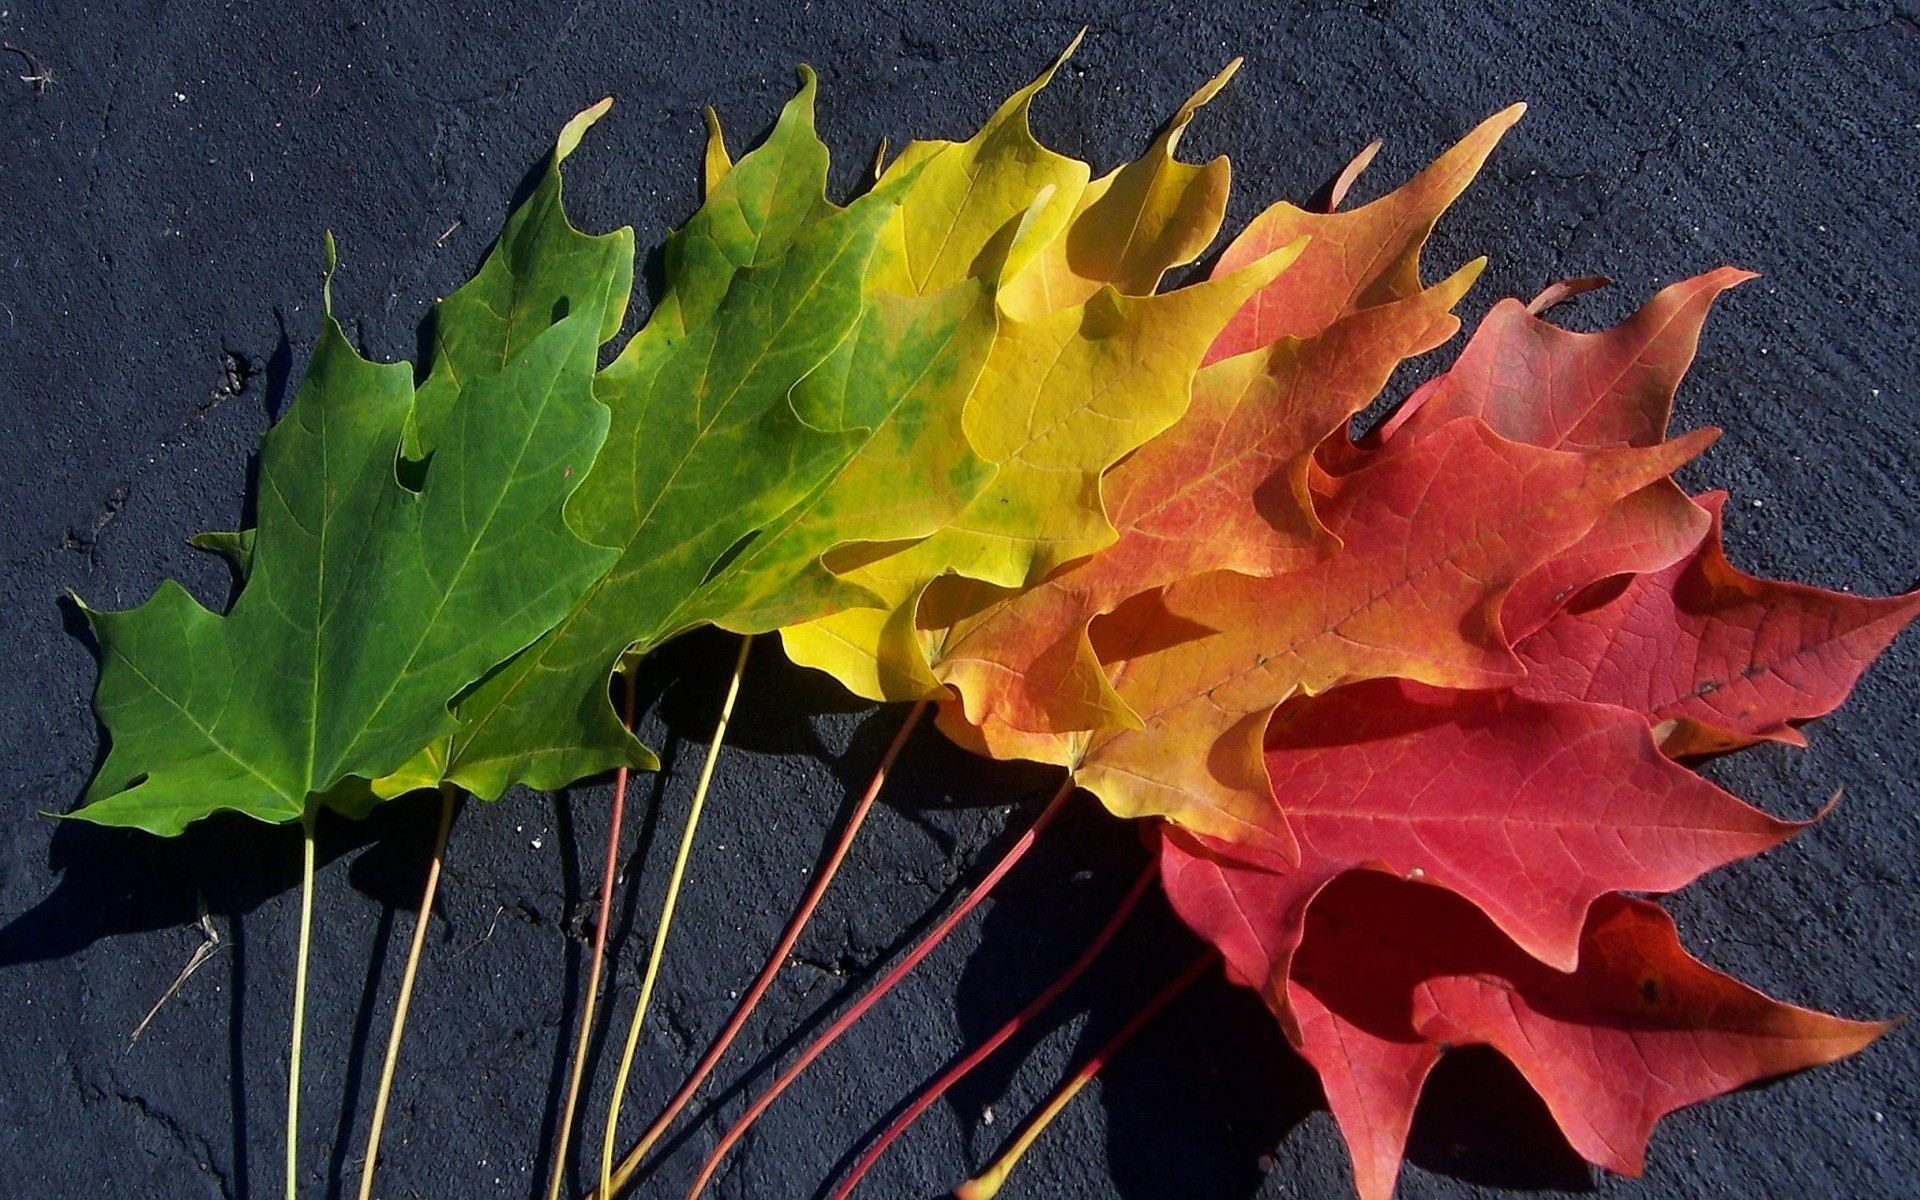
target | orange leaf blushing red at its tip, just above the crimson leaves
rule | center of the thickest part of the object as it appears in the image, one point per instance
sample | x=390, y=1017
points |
x=1435, y=533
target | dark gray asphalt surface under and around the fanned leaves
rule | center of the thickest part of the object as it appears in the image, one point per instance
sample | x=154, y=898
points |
x=162, y=201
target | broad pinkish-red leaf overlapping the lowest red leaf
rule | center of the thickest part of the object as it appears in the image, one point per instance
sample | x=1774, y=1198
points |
x=1531, y=811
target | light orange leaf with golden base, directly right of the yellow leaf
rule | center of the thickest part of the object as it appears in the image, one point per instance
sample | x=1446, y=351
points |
x=1222, y=491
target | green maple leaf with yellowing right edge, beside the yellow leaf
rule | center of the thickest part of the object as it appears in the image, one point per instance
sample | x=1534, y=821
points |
x=756, y=421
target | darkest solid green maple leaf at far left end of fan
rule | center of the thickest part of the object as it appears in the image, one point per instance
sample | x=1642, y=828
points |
x=379, y=585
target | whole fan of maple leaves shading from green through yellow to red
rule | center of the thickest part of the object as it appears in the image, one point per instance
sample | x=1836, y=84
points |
x=1408, y=717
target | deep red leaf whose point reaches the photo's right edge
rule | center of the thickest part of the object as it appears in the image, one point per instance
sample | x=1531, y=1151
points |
x=1716, y=658
